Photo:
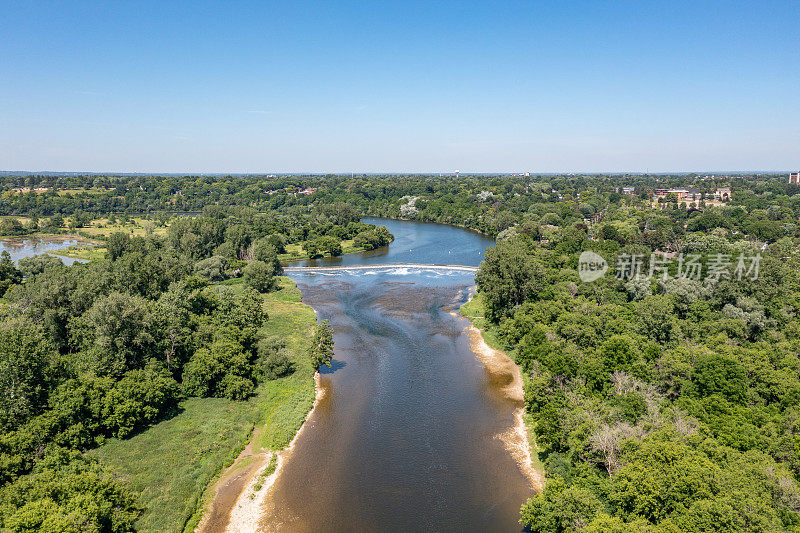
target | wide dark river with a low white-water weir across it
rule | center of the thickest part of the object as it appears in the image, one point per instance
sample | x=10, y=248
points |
x=407, y=436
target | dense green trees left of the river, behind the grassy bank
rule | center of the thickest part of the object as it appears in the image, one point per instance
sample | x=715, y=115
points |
x=103, y=349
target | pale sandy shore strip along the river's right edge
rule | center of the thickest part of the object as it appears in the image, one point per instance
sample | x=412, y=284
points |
x=519, y=439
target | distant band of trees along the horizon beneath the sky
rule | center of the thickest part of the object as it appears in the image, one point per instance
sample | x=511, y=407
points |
x=767, y=204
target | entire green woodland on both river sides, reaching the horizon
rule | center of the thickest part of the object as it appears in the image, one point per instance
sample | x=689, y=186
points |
x=662, y=400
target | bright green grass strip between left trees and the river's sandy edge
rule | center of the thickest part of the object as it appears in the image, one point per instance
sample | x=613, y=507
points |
x=172, y=464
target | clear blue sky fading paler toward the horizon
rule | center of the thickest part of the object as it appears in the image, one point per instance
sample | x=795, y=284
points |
x=400, y=86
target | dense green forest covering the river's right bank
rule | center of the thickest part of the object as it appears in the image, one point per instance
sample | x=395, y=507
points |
x=663, y=403
